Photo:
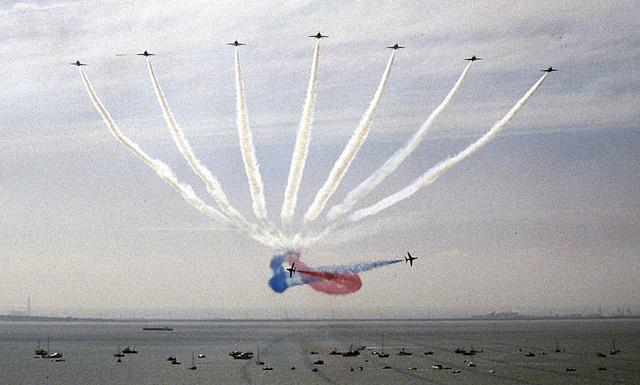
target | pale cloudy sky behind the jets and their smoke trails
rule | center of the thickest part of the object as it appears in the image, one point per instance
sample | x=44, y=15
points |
x=543, y=219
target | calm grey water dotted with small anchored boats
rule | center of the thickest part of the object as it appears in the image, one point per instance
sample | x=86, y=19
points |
x=89, y=347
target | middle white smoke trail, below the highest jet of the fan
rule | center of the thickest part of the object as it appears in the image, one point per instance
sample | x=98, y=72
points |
x=301, y=148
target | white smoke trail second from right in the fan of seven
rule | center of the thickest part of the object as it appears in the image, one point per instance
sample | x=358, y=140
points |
x=396, y=159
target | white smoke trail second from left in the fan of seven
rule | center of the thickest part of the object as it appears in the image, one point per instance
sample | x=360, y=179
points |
x=212, y=184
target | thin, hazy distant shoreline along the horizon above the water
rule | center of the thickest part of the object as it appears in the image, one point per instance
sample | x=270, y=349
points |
x=24, y=318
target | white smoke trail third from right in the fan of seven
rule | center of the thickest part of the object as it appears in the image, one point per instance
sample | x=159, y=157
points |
x=349, y=153
